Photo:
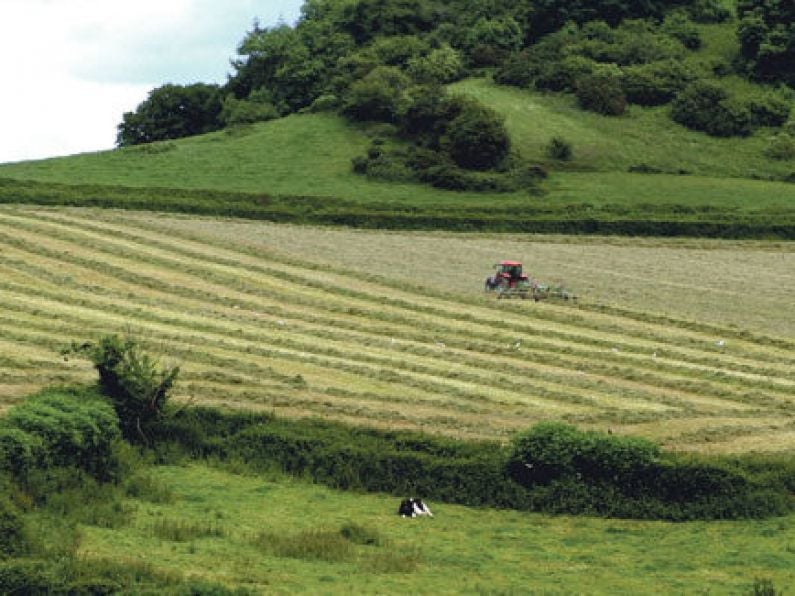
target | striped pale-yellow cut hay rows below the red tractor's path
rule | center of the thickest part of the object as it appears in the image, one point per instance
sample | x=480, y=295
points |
x=267, y=330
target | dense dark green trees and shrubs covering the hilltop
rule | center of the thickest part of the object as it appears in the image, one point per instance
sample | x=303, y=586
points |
x=381, y=60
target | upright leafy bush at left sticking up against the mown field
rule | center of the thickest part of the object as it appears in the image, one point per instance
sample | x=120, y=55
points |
x=132, y=380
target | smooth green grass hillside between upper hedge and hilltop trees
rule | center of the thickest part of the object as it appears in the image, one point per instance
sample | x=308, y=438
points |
x=310, y=155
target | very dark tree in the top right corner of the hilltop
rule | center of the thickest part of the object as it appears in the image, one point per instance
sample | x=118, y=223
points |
x=767, y=38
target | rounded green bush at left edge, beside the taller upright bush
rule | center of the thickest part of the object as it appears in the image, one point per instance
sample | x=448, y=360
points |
x=69, y=427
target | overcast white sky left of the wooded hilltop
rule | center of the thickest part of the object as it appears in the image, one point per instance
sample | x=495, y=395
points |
x=71, y=68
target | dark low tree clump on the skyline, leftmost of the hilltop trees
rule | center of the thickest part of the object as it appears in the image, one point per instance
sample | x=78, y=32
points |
x=172, y=112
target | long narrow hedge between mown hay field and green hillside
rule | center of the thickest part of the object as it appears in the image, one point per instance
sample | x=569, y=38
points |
x=662, y=220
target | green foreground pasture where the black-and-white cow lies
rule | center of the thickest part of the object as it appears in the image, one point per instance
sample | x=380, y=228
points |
x=461, y=550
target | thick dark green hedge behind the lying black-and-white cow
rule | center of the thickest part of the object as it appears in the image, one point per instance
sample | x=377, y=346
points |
x=552, y=467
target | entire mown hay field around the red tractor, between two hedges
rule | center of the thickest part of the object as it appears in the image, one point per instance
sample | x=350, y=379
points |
x=290, y=320
